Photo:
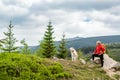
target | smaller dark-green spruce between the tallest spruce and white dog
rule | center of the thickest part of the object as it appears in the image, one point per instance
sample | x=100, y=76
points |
x=62, y=48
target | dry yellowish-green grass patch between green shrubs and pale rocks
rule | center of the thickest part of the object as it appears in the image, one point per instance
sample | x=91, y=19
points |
x=79, y=71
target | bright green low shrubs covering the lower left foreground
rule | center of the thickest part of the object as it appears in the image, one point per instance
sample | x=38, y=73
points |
x=14, y=66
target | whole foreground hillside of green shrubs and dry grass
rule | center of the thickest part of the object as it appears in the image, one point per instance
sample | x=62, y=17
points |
x=14, y=66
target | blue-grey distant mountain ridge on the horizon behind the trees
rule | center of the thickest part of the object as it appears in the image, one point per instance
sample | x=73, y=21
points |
x=79, y=42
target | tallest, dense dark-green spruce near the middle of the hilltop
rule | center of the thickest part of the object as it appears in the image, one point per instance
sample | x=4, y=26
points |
x=48, y=47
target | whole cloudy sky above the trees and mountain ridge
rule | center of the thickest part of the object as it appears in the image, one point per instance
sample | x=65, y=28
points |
x=83, y=18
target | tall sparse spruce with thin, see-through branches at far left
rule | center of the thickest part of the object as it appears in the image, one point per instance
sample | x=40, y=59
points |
x=9, y=41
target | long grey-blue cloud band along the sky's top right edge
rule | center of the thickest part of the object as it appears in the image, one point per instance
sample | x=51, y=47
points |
x=75, y=5
